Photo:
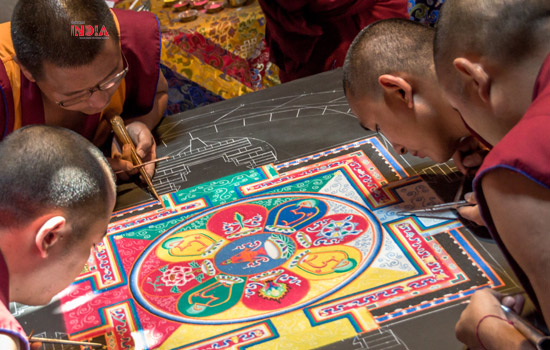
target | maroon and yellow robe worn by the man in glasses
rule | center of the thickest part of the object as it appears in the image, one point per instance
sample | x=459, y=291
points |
x=139, y=32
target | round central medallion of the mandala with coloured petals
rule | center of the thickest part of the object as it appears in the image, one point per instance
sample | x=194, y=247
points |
x=256, y=258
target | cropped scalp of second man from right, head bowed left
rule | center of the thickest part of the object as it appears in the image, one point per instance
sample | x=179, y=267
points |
x=387, y=47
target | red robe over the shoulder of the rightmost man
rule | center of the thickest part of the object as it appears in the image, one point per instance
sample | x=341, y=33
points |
x=525, y=150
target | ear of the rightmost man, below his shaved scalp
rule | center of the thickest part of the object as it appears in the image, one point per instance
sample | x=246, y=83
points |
x=475, y=75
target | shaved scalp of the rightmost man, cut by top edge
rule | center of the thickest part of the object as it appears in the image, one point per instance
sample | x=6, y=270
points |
x=503, y=31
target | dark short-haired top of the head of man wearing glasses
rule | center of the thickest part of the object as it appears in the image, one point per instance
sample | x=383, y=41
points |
x=41, y=32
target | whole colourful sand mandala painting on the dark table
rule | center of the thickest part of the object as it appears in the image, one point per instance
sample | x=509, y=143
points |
x=274, y=258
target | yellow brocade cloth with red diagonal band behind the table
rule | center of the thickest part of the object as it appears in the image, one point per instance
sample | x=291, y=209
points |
x=224, y=52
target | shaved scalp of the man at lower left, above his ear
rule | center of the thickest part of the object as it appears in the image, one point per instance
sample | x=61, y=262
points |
x=48, y=168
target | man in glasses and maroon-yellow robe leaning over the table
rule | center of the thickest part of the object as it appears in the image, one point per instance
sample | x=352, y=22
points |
x=57, y=71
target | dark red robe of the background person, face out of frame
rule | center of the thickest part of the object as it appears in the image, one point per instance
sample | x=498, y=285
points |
x=306, y=37
